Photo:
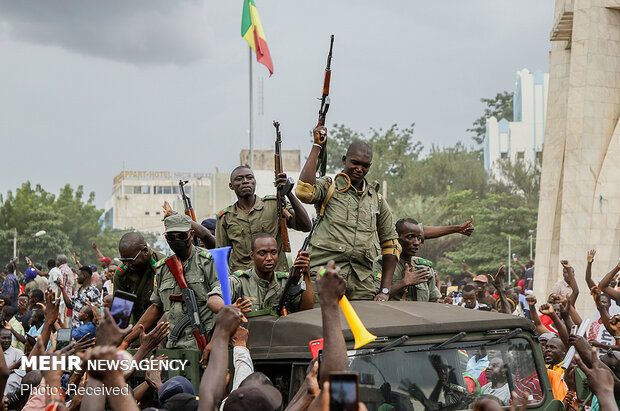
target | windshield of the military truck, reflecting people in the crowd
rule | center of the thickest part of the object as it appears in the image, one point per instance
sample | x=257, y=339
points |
x=451, y=378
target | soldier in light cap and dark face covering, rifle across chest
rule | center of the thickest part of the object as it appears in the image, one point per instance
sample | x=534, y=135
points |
x=200, y=274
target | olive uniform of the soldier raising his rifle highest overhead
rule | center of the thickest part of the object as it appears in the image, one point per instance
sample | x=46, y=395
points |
x=346, y=234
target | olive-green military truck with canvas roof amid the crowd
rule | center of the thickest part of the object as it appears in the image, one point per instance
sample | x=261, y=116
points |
x=426, y=355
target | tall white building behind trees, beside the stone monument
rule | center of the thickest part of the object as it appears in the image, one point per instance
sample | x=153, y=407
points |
x=521, y=139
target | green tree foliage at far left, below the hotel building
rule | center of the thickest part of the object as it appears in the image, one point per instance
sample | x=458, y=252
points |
x=71, y=225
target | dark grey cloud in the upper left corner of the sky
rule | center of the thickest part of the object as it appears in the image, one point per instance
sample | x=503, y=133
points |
x=141, y=32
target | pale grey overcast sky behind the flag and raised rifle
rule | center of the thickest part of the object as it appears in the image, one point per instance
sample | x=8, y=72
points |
x=89, y=86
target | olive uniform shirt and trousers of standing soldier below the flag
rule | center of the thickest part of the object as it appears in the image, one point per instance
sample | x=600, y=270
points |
x=236, y=228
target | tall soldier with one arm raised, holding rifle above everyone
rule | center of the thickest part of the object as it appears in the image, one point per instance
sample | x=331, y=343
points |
x=354, y=212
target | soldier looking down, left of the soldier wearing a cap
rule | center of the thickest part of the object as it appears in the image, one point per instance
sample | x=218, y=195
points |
x=137, y=273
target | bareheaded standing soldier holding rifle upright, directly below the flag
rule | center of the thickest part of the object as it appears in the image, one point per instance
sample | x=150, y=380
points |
x=250, y=215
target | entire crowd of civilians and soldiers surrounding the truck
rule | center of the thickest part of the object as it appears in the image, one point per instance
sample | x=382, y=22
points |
x=356, y=250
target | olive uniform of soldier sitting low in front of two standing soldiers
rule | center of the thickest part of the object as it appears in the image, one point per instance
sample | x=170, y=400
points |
x=263, y=294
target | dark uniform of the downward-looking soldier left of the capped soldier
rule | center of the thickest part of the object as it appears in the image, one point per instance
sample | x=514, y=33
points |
x=128, y=280
